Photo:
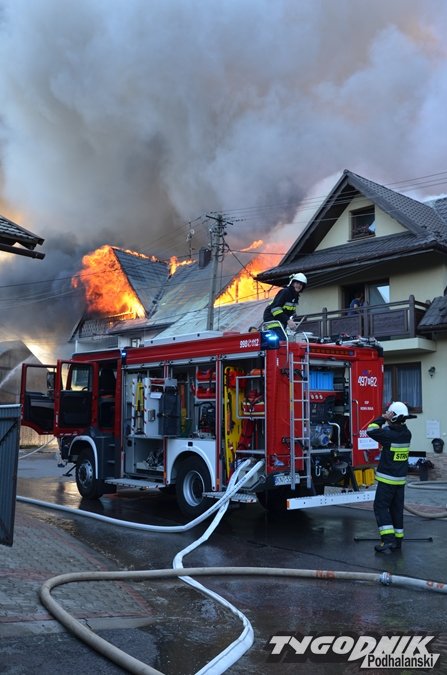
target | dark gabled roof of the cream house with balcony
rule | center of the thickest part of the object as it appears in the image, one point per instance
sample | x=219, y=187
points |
x=426, y=225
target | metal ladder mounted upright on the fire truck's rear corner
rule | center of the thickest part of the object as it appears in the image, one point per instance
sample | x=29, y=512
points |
x=299, y=385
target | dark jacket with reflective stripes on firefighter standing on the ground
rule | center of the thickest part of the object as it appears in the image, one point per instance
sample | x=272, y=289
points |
x=395, y=441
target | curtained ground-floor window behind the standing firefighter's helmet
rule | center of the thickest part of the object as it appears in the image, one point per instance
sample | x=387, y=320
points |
x=403, y=383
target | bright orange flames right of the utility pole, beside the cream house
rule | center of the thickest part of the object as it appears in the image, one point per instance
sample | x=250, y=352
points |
x=244, y=287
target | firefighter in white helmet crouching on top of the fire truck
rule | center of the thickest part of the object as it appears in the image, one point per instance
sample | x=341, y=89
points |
x=279, y=313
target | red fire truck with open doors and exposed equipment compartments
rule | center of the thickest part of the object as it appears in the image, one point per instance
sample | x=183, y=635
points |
x=181, y=413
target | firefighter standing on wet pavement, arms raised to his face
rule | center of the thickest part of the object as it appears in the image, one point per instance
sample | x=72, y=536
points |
x=394, y=436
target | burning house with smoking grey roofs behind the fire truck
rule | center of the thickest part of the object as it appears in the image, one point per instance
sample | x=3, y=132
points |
x=170, y=303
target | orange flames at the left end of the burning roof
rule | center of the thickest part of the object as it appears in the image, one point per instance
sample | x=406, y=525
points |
x=107, y=289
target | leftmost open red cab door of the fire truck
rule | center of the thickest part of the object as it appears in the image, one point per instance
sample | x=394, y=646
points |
x=37, y=397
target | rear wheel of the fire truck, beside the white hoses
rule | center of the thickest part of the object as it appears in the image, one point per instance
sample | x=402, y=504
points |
x=193, y=479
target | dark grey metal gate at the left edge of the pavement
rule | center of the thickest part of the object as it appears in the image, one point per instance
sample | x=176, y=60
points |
x=9, y=455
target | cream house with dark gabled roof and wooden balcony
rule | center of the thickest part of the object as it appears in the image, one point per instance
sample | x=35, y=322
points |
x=366, y=239
